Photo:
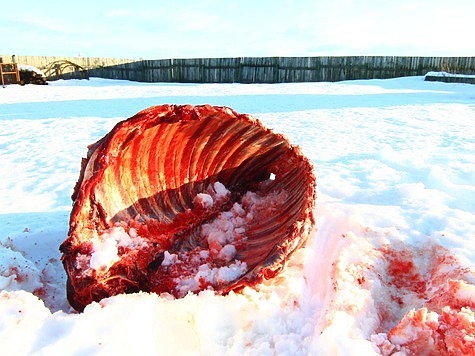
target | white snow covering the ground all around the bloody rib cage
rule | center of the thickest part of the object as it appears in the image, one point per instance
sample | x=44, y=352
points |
x=390, y=261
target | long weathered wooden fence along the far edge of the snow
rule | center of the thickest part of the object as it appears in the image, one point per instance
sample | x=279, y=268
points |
x=265, y=69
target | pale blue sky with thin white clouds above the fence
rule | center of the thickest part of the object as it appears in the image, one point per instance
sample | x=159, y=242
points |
x=211, y=28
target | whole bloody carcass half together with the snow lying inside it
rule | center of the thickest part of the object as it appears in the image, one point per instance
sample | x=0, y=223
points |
x=145, y=176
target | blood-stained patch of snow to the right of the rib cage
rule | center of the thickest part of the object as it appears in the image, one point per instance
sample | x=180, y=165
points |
x=441, y=320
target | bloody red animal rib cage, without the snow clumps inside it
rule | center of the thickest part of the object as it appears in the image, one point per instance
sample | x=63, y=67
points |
x=151, y=166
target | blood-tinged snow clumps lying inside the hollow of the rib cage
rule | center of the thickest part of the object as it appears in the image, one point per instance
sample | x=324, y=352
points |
x=206, y=266
